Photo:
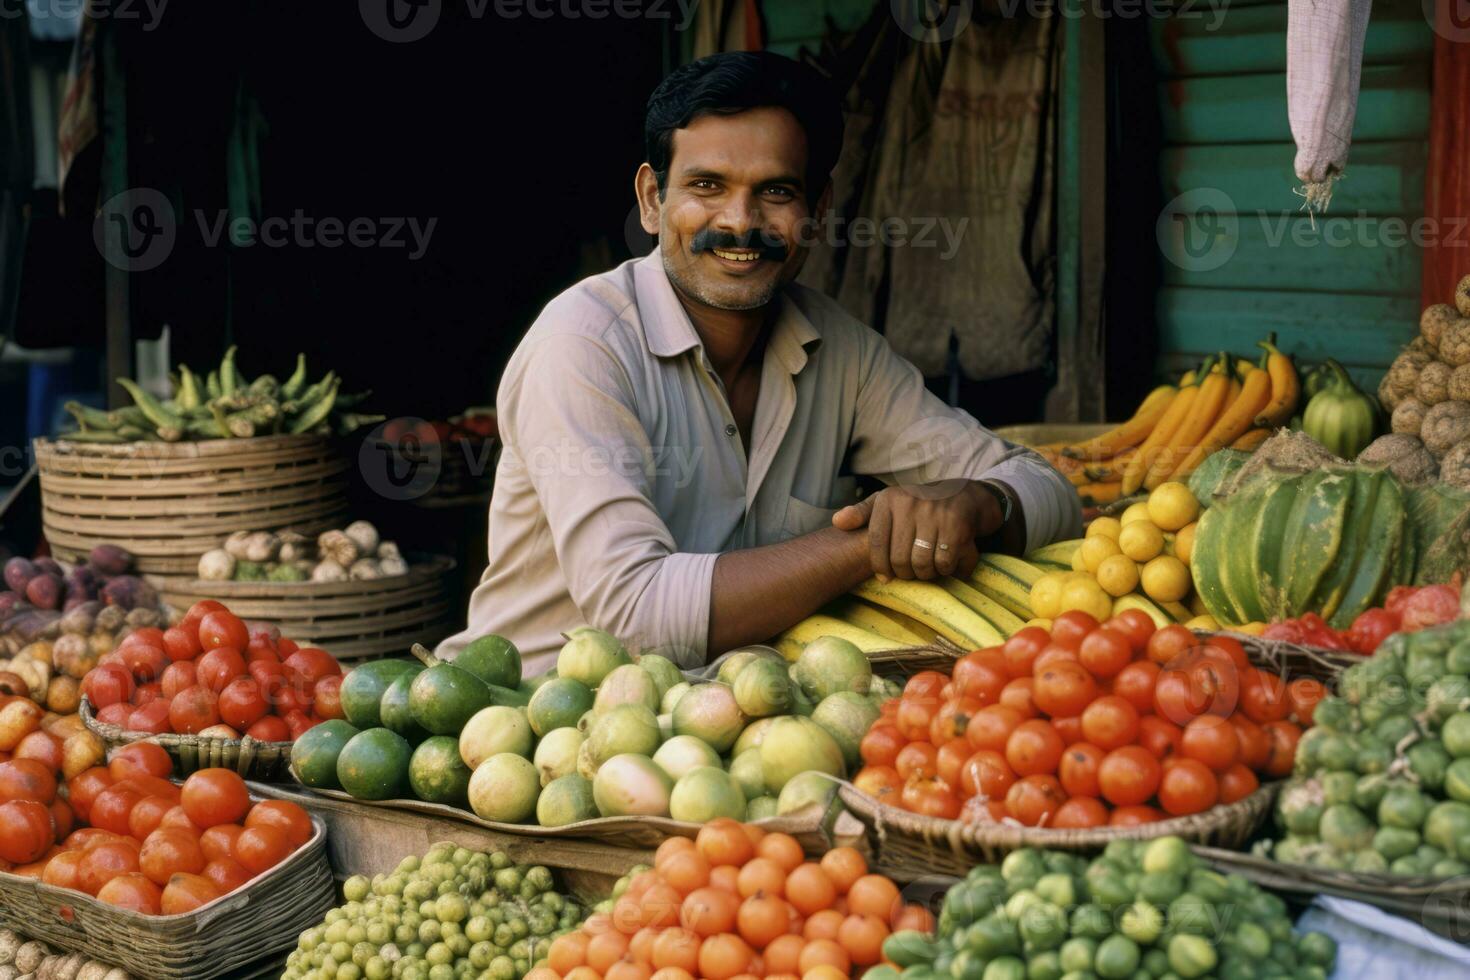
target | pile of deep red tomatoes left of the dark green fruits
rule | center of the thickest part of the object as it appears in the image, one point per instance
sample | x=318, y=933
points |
x=214, y=675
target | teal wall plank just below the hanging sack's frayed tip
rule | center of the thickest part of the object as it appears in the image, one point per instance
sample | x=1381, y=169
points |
x=1283, y=251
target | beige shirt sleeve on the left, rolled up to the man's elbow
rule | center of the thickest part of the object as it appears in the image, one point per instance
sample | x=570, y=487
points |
x=570, y=418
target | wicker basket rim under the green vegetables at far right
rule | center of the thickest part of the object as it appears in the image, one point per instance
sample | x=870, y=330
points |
x=1441, y=904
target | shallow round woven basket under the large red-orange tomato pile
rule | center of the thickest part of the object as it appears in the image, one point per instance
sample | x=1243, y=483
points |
x=911, y=846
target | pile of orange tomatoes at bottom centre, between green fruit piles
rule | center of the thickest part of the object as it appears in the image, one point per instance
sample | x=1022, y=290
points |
x=739, y=903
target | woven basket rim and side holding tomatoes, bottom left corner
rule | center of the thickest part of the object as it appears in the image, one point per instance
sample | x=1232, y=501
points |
x=226, y=935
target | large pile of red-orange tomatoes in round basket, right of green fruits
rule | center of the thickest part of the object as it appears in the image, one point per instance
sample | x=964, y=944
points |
x=1091, y=725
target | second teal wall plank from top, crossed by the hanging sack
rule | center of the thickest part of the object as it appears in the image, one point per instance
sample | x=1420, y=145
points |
x=1393, y=105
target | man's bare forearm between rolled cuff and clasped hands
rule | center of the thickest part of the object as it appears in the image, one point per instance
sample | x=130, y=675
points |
x=758, y=593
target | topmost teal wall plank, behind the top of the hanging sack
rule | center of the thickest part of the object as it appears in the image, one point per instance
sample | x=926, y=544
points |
x=1231, y=40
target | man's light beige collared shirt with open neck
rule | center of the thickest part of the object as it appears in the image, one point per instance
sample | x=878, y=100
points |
x=624, y=475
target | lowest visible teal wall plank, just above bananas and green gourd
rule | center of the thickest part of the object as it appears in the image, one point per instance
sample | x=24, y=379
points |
x=1356, y=330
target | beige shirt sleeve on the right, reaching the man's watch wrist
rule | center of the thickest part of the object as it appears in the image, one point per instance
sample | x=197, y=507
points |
x=903, y=434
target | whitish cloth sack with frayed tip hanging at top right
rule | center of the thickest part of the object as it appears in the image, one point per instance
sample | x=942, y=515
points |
x=1324, y=70
